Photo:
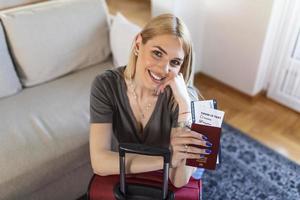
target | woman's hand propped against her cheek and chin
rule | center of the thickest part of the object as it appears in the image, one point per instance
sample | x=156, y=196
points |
x=178, y=86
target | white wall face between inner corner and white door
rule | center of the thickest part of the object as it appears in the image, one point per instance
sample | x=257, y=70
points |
x=234, y=34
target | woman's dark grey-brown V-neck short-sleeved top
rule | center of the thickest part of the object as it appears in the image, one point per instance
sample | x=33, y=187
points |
x=109, y=103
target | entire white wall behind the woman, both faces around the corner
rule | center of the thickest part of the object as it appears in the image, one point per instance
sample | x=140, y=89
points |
x=228, y=37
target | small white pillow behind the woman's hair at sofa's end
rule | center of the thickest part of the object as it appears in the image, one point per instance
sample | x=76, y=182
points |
x=122, y=33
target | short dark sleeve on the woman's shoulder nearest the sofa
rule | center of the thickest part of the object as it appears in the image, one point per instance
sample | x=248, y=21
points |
x=101, y=108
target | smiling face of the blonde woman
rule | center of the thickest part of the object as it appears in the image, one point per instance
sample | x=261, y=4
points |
x=158, y=58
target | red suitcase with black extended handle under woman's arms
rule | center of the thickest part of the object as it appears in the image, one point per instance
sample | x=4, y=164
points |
x=144, y=185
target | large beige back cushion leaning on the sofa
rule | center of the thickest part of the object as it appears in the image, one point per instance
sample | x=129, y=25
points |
x=53, y=38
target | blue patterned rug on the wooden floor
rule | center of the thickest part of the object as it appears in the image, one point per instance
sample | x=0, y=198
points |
x=250, y=170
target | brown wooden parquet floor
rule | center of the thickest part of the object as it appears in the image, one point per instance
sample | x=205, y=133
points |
x=262, y=119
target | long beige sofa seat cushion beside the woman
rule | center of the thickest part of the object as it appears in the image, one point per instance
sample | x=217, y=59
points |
x=44, y=132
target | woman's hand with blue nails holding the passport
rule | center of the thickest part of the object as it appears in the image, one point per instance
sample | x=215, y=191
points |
x=182, y=141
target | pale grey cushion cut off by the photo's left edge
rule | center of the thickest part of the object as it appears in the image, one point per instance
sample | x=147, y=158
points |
x=9, y=82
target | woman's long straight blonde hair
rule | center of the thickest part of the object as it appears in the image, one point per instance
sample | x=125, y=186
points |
x=166, y=24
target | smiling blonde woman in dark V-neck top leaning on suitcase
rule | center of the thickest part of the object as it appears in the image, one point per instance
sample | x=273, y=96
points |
x=145, y=102
